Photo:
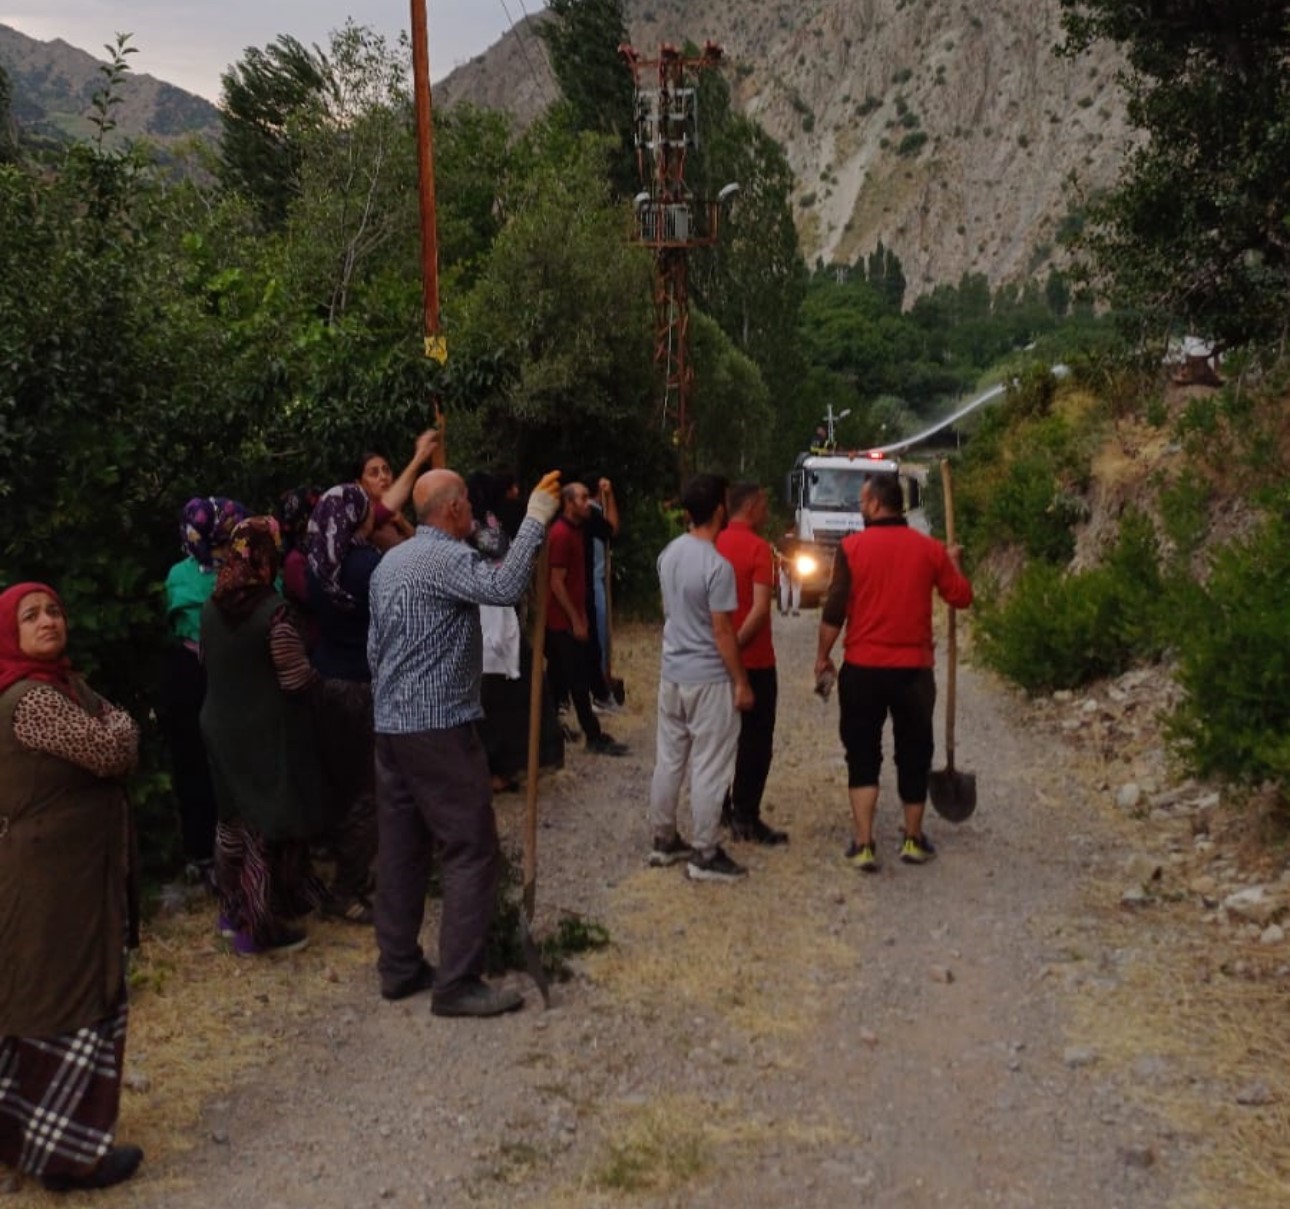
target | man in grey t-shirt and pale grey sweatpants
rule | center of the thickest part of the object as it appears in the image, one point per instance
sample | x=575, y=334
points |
x=702, y=688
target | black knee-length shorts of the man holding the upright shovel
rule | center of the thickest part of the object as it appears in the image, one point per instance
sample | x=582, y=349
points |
x=866, y=696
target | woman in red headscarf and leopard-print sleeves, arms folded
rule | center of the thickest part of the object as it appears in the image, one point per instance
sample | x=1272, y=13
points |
x=65, y=847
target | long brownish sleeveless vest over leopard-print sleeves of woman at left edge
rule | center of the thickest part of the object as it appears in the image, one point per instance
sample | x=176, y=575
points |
x=64, y=843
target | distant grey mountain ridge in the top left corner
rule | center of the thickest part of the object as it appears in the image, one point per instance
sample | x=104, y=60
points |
x=54, y=83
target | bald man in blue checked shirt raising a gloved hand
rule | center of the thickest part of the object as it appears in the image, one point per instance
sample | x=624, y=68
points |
x=433, y=784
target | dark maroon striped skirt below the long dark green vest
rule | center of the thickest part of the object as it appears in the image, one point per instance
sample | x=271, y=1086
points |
x=263, y=883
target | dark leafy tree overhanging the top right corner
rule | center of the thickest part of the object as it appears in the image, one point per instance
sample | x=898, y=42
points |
x=1196, y=232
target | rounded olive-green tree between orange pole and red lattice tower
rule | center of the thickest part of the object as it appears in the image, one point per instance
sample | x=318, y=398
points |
x=566, y=301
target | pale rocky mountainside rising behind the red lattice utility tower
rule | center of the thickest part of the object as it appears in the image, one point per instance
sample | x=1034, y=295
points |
x=949, y=131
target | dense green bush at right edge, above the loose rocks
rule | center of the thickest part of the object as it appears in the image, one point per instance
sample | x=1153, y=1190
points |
x=1236, y=664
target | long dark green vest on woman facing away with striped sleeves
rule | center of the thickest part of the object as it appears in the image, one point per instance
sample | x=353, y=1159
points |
x=260, y=741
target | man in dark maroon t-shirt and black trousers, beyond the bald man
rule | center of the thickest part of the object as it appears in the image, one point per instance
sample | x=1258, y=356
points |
x=568, y=634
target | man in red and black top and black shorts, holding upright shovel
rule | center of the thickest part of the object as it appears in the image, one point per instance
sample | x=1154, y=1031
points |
x=882, y=592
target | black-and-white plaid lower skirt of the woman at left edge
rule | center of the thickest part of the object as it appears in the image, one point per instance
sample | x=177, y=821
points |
x=60, y=1097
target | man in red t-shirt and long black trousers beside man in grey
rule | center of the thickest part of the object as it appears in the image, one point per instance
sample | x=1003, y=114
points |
x=753, y=559
